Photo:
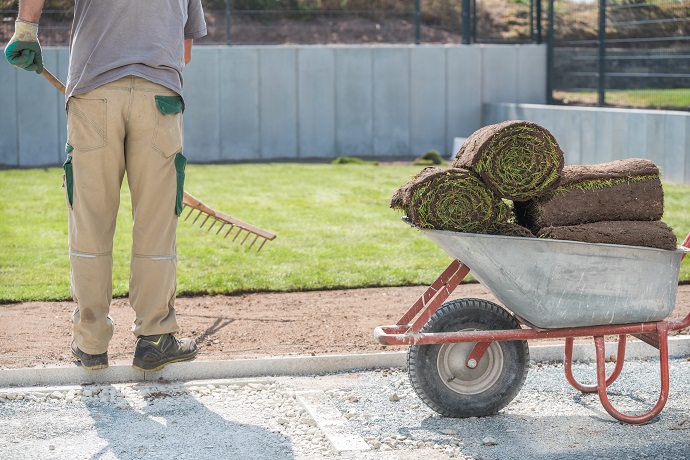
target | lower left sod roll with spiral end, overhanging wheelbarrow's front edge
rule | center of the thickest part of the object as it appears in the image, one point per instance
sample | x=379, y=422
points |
x=450, y=199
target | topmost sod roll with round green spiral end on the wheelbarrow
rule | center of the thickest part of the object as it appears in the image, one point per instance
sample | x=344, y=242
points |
x=517, y=160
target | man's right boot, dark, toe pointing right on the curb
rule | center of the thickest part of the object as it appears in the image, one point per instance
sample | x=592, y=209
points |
x=153, y=352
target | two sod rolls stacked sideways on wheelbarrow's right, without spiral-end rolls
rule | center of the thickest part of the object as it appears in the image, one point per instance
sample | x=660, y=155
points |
x=620, y=202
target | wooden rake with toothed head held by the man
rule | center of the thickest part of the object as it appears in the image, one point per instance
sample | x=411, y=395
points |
x=226, y=224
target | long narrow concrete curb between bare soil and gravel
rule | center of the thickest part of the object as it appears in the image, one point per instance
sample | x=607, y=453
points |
x=679, y=346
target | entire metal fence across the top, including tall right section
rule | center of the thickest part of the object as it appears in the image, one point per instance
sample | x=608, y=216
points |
x=625, y=53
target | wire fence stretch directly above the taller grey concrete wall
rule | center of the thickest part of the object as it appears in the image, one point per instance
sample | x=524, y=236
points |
x=270, y=22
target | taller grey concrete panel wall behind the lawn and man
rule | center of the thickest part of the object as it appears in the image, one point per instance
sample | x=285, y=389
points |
x=262, y=103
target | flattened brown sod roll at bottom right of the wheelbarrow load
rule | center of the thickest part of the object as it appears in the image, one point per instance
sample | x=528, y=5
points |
x=654, y=234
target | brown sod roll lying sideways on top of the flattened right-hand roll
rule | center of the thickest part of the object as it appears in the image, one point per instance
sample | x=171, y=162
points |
x=622, y=190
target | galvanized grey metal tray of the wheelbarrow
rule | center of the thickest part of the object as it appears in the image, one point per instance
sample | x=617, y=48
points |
x=557, y=283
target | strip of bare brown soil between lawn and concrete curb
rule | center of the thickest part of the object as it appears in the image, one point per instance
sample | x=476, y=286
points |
x=235, y=327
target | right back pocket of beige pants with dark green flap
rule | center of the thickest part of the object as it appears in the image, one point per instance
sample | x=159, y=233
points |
x=168, y=135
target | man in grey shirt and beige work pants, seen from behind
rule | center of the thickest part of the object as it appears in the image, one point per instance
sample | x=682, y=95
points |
x=124, y=115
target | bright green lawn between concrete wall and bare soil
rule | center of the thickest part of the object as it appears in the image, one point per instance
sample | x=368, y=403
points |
x=334, y=227
